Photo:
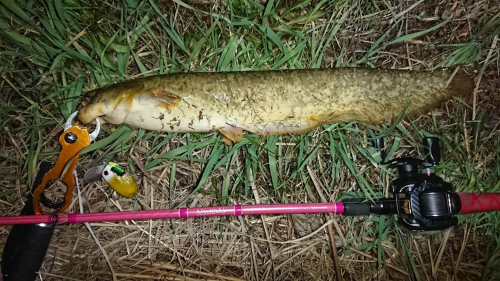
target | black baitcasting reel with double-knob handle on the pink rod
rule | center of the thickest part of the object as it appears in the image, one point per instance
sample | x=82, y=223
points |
x=422, y=200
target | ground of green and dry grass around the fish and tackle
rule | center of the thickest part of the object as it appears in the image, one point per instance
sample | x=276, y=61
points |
x=53, y=51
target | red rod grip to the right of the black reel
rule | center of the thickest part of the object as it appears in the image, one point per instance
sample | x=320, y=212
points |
x=479, y=202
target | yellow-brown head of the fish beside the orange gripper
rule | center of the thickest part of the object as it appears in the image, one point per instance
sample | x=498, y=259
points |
x=111, y=103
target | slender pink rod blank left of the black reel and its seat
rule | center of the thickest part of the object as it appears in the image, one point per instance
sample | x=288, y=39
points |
x=236, y=210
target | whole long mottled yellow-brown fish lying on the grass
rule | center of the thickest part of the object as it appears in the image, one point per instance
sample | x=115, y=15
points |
x=272, y=102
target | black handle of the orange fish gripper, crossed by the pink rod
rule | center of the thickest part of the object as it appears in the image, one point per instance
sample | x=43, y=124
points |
x=26, y=245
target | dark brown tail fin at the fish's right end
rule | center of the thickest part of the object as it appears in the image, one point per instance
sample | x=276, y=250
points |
x=462, y=82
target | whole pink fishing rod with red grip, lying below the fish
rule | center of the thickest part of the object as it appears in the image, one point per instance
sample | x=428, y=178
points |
x=434, y=210
